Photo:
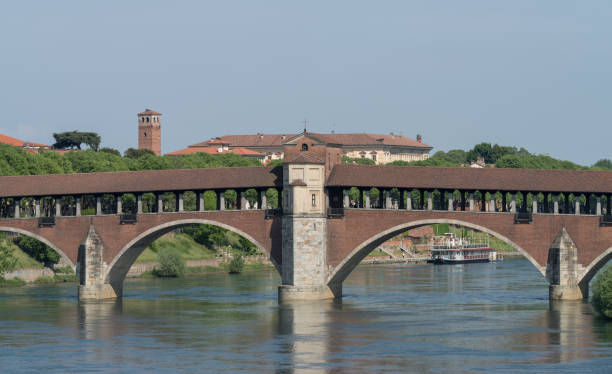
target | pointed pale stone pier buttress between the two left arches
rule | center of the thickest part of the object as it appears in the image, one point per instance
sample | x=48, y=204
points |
x=91, y=269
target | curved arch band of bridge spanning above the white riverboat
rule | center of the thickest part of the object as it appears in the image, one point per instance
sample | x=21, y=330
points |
x=348, y=264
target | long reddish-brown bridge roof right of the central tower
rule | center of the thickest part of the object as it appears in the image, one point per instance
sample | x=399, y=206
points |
x=471, y=179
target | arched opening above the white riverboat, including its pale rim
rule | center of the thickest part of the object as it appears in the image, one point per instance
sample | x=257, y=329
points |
x=398, y=244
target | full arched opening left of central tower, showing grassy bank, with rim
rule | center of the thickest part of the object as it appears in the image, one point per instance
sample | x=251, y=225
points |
x=200, y=244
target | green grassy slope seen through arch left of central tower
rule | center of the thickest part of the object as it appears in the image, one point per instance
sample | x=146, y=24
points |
x=184, y=244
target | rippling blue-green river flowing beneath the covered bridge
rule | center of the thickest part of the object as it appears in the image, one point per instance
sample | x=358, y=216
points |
x=393, y=318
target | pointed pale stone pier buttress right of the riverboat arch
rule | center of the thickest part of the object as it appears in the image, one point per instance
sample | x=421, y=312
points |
x=562, y=269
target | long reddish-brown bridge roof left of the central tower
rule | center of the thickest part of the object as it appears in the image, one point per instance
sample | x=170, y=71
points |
x=140, y=181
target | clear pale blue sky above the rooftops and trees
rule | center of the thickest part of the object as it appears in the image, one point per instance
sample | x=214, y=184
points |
x=526, y=73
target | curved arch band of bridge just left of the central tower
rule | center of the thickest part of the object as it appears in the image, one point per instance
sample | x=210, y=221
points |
x=118, y=268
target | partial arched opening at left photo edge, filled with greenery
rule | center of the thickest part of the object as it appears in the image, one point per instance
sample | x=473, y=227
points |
x=25, y=250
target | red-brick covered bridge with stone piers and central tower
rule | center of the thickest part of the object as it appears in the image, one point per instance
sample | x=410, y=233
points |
x=330, y=217
